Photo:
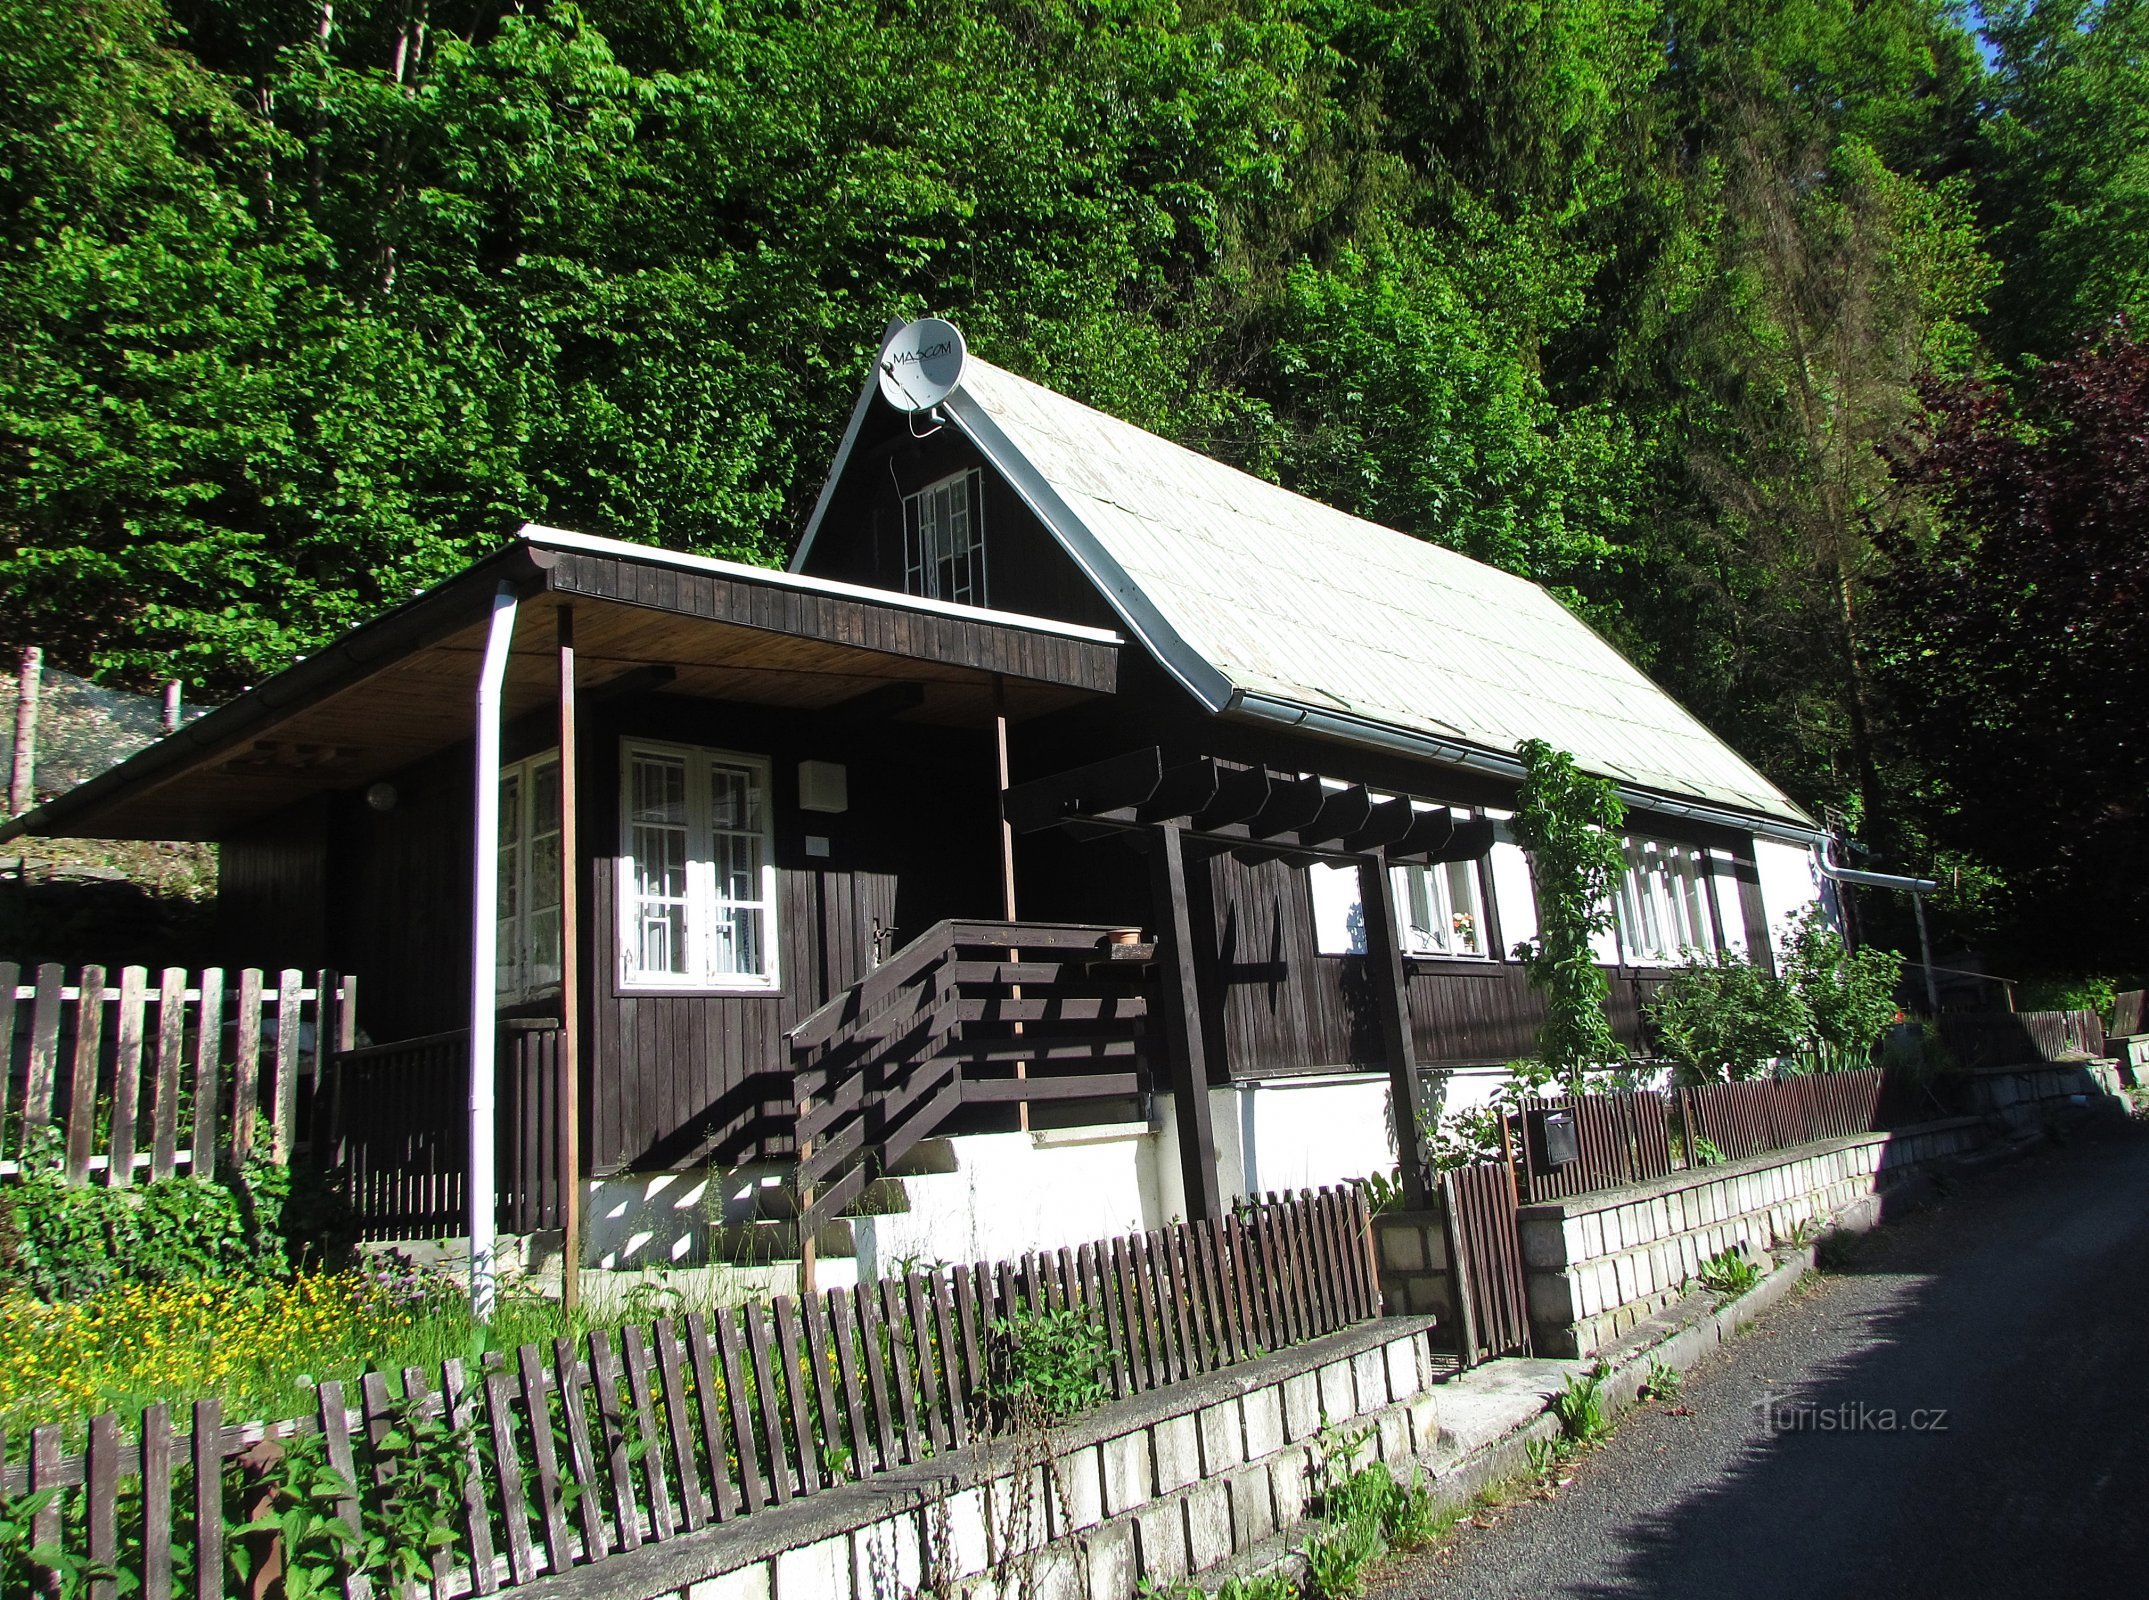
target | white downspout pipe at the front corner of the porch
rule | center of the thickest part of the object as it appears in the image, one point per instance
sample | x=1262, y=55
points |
x=487, y=952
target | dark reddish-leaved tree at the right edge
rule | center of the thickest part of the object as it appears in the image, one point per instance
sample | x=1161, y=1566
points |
x=2017, y=650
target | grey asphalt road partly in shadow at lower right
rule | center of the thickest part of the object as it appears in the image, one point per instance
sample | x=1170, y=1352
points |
x=2019, y=1307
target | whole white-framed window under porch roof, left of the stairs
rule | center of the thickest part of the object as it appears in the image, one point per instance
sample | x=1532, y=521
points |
x=697, y=869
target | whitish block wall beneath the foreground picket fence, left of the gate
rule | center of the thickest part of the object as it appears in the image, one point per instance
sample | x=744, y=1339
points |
x=1164, y=1487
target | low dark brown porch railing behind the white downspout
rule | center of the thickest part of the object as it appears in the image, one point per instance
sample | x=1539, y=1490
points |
x=399, y=1133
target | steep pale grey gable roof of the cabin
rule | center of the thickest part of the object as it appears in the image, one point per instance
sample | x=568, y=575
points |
x=1282, y=609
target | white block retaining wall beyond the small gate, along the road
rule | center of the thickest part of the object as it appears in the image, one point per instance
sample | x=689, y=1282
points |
x=1598, y=1264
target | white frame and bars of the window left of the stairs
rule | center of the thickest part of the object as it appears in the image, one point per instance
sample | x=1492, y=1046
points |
x=704, y=903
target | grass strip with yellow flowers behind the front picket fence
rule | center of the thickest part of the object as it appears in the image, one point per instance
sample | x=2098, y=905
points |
x=259, y=1348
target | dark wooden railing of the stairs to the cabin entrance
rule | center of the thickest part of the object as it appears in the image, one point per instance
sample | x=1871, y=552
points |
x=970, y=1013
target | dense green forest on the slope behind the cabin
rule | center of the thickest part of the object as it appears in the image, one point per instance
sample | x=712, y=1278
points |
x=1793, y=343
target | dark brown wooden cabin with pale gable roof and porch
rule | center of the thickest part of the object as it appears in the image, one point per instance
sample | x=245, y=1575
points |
x=1076, y=837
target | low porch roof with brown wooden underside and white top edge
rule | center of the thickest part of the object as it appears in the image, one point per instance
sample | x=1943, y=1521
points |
x=403, y=686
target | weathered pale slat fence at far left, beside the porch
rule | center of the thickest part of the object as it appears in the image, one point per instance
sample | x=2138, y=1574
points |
x=149, y=1075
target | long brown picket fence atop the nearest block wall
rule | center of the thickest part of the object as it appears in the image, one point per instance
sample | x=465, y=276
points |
x=594, y=1446
